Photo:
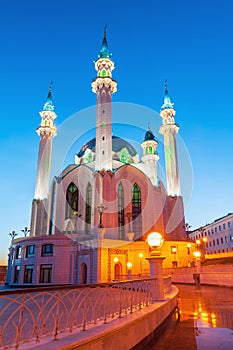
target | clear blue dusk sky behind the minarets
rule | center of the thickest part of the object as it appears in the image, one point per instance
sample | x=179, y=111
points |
x=189, y=43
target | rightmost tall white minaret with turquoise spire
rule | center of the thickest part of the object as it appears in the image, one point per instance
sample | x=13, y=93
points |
x=169, y=129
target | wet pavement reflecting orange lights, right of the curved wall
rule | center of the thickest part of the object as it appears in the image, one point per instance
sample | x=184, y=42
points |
x=203, y=321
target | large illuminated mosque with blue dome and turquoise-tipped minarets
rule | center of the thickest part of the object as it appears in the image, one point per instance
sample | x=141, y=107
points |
x=90, y=224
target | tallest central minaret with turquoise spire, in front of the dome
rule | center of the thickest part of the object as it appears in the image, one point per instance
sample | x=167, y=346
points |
x=104, y=86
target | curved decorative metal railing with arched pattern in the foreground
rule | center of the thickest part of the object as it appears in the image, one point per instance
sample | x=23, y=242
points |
x=27, y=315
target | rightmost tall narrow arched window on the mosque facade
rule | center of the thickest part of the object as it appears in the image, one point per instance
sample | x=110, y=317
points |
x=136, y=211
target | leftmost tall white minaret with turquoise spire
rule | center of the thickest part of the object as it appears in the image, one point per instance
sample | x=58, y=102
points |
x=46, y=131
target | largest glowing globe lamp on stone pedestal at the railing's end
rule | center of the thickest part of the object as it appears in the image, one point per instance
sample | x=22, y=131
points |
x=155, y=241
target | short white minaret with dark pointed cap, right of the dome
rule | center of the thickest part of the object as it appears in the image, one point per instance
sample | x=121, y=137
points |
x=150, y=156
